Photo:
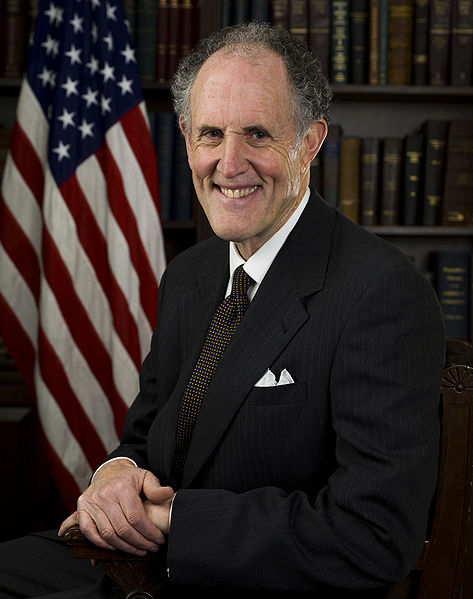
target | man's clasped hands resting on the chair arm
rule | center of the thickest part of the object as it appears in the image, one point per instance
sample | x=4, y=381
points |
x=124, y=508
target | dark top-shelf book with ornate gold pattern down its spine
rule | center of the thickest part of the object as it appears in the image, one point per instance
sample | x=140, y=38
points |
x=340, y=40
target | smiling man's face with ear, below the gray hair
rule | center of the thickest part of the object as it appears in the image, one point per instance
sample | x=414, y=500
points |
x=248, y=174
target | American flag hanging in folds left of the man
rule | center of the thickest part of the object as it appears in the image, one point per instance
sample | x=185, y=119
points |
x=81, y=249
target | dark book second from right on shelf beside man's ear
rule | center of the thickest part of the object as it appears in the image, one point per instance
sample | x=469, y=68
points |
x=435, y=150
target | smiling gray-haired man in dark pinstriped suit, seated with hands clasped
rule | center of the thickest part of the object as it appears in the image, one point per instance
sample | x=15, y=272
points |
x=311, y=459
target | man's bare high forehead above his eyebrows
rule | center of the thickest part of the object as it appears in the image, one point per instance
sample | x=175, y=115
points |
x=238, y=86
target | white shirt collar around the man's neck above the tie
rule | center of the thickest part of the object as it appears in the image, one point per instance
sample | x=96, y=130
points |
x=259, y=263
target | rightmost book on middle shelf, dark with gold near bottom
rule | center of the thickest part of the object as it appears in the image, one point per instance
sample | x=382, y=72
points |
x=458, y=190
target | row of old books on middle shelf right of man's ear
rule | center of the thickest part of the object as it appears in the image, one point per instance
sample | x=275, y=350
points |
x=424, y=178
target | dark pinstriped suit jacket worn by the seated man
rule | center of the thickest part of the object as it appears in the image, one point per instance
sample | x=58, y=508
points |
x=322, y=483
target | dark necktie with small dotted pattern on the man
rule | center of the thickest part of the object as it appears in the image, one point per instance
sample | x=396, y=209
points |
x=222, y=327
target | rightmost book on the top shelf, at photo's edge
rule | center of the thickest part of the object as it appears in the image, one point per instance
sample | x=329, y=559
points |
x=461, y=60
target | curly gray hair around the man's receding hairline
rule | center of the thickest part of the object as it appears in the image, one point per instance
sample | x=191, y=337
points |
x=311, y=93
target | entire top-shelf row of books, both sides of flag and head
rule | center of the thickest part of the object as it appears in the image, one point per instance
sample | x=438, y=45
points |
x=395, y=42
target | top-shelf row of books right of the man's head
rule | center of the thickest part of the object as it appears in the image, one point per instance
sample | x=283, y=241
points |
x=396, y=42
